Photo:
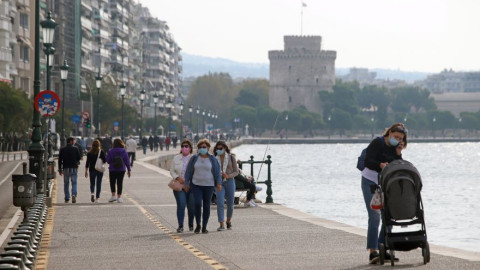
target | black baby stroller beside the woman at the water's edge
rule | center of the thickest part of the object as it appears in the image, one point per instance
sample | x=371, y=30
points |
x=400, y=184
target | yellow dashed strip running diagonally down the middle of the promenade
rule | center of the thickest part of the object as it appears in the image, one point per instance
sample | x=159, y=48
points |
x=197, y=253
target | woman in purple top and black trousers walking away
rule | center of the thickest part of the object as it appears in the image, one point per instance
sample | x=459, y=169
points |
x=119, y=162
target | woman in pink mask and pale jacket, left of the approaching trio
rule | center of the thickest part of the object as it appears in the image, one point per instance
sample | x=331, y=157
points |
x=183, y=198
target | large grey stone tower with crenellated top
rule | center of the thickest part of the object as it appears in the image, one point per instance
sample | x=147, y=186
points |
x=299, y=72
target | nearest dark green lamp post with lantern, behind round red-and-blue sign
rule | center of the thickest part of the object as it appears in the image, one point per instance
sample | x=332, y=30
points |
x=36, y=149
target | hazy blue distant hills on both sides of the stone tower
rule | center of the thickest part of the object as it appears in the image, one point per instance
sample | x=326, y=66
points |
x=195, y=65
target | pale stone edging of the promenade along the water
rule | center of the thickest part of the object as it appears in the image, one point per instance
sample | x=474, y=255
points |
x=296, y=214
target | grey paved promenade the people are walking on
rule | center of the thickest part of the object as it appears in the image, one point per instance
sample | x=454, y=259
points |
x=140, y=234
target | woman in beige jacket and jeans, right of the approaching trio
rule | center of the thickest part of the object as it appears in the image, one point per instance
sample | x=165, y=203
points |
x=229, y=168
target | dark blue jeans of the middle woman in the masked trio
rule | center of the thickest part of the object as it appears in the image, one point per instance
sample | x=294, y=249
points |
x=202, y=195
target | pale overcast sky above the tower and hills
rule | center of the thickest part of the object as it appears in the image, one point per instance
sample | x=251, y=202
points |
x=407, y=35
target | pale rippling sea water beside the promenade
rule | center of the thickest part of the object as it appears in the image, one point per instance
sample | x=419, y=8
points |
x=321, y=179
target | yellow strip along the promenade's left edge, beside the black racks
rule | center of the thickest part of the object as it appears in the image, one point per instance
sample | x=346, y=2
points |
x=41, y=262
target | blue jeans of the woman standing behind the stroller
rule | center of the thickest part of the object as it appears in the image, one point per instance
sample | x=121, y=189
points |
x=373, y=239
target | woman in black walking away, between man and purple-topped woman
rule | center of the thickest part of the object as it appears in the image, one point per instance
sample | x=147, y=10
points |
x=95, y=176
